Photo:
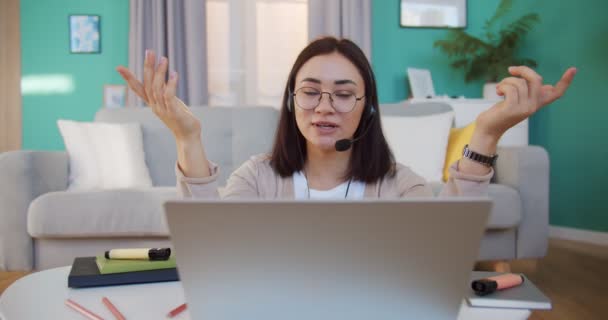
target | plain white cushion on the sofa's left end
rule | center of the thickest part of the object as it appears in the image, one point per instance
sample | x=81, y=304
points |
x=104, y=155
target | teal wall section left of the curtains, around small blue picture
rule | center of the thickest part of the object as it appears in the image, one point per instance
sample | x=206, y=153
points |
x=45, y=51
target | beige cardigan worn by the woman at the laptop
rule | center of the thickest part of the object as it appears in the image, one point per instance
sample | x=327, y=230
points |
x=257, y=179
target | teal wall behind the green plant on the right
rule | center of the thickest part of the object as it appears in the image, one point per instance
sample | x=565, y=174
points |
x=571, y=33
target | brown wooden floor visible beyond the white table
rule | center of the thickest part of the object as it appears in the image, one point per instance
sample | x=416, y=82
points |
x=573, y=274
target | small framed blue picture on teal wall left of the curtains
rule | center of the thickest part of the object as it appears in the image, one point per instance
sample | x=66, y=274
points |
x=85, y=33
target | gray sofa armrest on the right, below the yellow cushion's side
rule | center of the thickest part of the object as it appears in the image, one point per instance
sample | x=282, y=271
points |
x=526, y=169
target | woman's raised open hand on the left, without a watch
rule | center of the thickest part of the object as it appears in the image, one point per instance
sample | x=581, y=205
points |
x=160, y=96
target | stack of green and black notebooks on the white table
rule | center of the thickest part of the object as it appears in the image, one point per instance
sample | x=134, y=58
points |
x=99, y=271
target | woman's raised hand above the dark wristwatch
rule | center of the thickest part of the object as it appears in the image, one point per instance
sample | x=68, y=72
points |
x=524, y=95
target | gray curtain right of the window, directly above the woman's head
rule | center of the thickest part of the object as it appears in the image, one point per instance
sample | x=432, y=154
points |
x=342, y=18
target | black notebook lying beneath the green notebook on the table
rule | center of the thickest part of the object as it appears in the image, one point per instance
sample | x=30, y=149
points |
x=85, y=273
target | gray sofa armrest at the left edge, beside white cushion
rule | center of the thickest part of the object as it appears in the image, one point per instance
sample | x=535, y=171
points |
x=25, y=175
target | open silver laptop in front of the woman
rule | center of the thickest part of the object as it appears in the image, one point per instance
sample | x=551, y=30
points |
x=402, y=259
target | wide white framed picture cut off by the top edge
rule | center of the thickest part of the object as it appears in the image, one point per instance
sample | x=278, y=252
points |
x=433, y=13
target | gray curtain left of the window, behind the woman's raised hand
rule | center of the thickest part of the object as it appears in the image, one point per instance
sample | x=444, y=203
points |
x=177, y=30
